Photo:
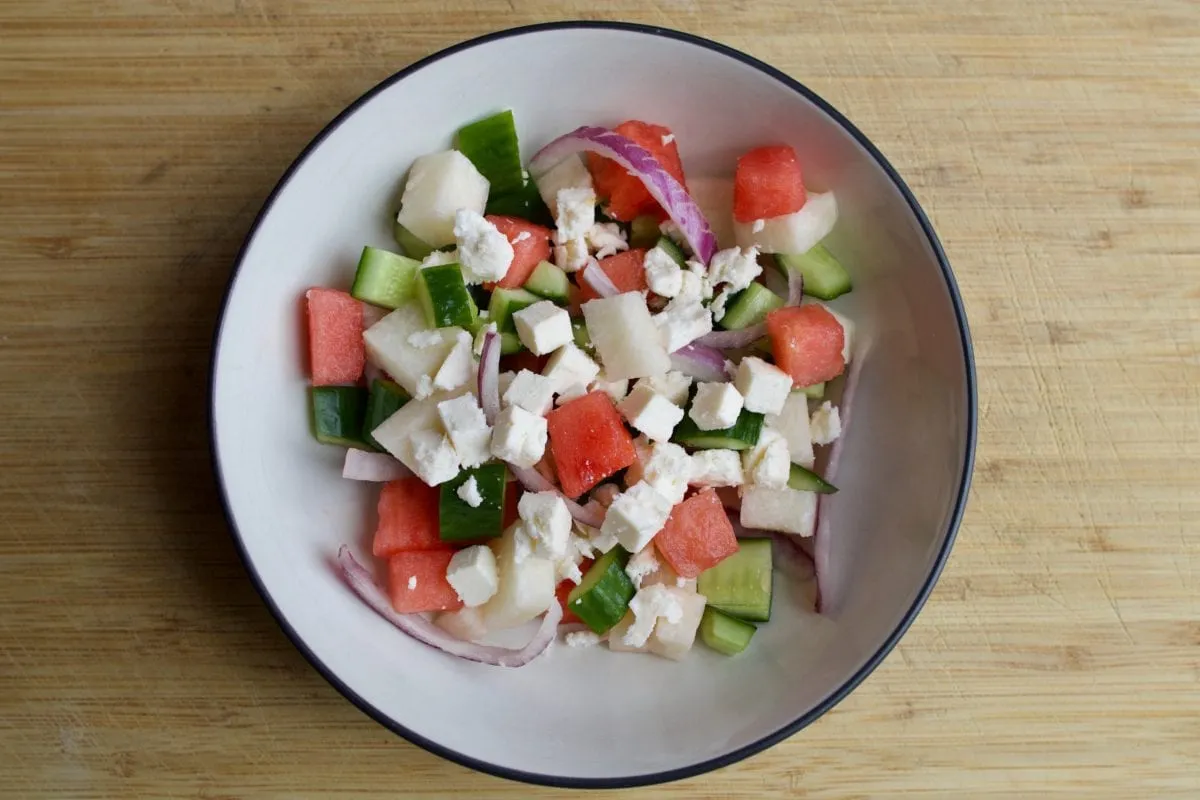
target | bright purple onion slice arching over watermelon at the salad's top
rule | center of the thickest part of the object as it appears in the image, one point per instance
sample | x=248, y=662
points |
x=659, y=183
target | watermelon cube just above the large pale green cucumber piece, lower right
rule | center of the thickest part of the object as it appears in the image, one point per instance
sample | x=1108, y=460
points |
x=698, y=536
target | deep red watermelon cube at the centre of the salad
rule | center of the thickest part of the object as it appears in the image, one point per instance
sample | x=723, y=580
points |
x=589, y=442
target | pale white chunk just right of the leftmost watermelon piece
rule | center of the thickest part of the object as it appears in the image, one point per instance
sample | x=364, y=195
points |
x=391, y=345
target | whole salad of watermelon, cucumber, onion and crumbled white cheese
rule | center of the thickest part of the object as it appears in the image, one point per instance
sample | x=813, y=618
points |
x=580, y=406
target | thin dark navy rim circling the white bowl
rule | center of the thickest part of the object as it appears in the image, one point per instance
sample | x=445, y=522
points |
x=850, y=684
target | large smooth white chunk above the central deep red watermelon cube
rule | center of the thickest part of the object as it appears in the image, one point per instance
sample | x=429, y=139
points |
x=626, y=336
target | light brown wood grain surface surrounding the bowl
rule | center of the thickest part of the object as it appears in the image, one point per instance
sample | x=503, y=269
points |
x=1057, y=147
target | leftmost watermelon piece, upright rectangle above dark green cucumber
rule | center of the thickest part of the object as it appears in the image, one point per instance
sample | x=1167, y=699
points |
x=335, y=338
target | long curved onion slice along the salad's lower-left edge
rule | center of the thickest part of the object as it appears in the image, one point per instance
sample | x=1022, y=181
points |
x=423, y=630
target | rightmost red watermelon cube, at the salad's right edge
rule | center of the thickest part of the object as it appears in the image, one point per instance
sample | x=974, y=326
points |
x=807, y=342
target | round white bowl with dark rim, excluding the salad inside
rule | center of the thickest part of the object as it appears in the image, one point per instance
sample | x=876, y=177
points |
x=593, y=718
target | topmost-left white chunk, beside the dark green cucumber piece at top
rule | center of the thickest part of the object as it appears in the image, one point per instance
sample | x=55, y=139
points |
x=439, y=185
